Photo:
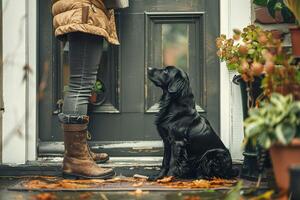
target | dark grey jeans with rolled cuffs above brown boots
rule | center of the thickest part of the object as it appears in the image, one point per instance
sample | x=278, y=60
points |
x=85, y=52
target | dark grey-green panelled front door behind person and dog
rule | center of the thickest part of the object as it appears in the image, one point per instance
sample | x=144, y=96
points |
x=152, y=33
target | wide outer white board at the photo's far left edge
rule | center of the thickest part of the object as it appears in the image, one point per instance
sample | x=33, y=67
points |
x=14, y=59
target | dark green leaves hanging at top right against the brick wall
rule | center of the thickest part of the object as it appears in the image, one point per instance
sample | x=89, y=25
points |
x=274, y=6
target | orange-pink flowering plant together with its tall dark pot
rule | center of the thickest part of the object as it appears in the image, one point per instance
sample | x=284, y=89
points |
x=248, y=53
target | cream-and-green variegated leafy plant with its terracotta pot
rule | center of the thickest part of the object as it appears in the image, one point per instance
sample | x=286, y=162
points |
x=275, y=125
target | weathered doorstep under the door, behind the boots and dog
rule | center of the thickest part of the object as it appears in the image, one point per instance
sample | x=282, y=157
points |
x=51, y=166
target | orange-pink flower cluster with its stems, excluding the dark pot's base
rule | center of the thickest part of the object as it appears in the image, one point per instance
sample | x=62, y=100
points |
x=248, y=52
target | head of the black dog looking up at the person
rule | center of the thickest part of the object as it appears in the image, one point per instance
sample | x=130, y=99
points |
x=171, y=79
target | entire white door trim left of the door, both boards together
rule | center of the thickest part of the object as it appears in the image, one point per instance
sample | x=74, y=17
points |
x=19, y=94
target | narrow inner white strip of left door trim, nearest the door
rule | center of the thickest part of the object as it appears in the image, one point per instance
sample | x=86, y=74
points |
x=31, y=93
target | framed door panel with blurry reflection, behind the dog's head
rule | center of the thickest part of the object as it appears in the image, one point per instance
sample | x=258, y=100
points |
x=178, y=41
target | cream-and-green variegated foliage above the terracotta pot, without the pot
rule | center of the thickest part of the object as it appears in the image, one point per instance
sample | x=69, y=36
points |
x=275, y=121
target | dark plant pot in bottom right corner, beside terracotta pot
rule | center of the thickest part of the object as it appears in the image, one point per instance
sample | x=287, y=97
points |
x=294, y=188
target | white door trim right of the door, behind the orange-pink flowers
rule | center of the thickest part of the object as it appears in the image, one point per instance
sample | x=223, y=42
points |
x=234, y=14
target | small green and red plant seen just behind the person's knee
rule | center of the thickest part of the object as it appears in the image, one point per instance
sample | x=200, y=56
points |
x=98, y=93
